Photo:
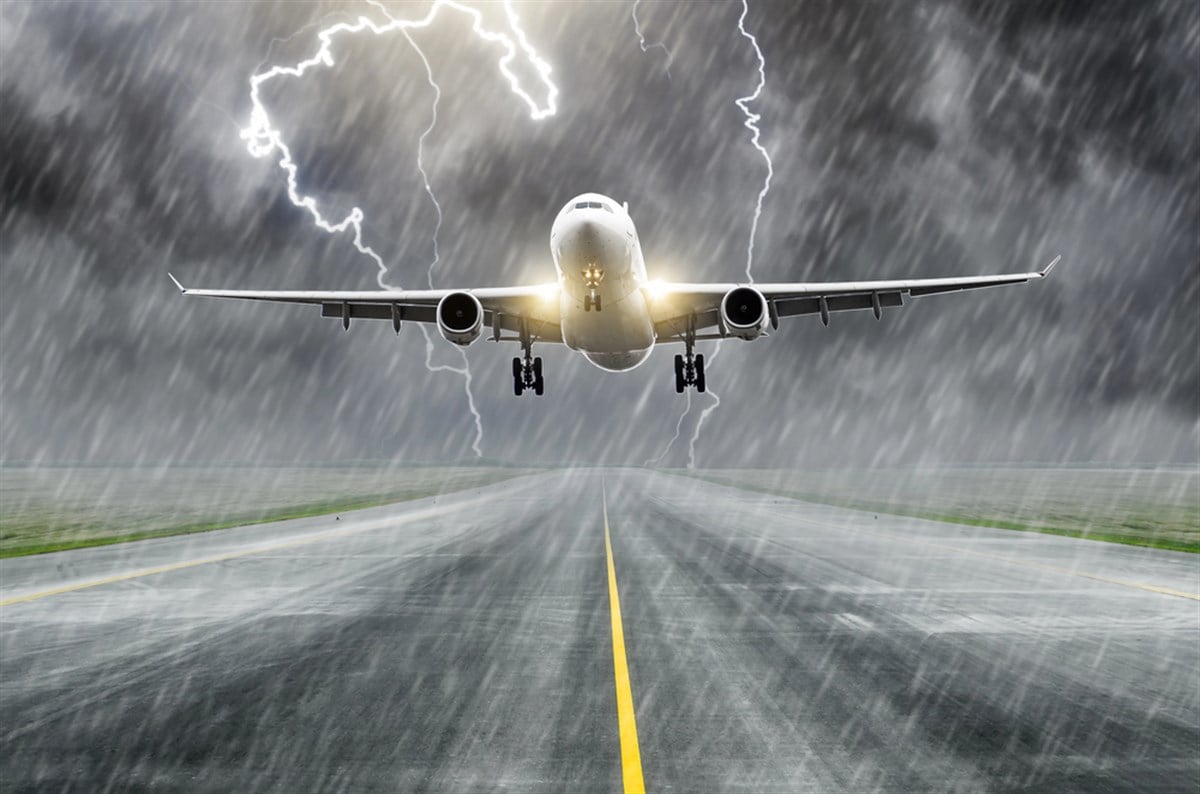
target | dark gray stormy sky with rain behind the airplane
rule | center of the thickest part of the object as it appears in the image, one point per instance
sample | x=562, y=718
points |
x=949, y=137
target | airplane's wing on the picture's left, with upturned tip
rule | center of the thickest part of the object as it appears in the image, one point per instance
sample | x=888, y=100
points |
x=532, y=310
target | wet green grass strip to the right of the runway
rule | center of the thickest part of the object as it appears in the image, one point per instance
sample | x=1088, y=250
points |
x=1157, y=508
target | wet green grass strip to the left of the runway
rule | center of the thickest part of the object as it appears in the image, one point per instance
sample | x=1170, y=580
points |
x=58, y=508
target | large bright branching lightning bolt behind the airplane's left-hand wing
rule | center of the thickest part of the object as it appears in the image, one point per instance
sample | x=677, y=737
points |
x=263, y=140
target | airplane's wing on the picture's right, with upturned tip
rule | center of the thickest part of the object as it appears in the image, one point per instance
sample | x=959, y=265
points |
x=680, y=310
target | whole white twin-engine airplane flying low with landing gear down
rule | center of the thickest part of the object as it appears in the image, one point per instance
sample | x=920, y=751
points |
x=604, y=305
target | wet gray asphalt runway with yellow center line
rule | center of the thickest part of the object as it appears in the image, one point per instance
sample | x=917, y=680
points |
x=467, y=643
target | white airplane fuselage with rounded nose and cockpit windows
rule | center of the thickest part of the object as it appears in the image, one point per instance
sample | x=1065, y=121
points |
x=602, y=275
